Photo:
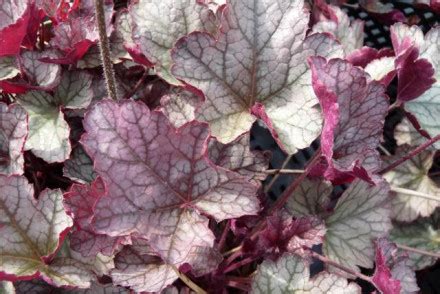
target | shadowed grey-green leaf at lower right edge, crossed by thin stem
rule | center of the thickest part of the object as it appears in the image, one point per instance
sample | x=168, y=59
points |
x=422, y=234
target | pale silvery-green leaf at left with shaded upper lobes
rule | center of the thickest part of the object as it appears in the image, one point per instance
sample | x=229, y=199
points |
x=48, y=131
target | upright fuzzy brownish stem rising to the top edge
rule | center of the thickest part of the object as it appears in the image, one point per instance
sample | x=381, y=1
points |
x=104, y=49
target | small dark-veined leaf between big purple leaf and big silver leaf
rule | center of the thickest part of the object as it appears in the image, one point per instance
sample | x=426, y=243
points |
x=237, y=156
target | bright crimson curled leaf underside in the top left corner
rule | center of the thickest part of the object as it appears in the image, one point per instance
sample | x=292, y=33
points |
x=14, y=18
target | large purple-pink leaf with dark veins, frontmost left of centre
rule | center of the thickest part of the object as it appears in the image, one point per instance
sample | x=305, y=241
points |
x=161, y=185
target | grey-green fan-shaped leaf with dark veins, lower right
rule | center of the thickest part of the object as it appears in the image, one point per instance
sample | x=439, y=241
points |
x=361, y=215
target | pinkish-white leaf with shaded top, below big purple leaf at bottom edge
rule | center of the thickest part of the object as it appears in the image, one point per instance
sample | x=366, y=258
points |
x=142, y=273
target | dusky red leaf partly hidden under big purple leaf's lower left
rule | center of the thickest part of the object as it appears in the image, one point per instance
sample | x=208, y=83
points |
x=80, y=201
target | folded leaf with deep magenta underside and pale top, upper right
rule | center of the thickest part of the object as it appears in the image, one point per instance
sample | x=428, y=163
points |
x=415, y=75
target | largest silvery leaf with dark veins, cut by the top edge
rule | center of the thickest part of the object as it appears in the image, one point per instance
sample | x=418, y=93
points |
x=253, y=63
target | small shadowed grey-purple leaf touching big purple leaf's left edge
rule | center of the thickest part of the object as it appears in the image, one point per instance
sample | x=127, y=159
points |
x=79, y=167
